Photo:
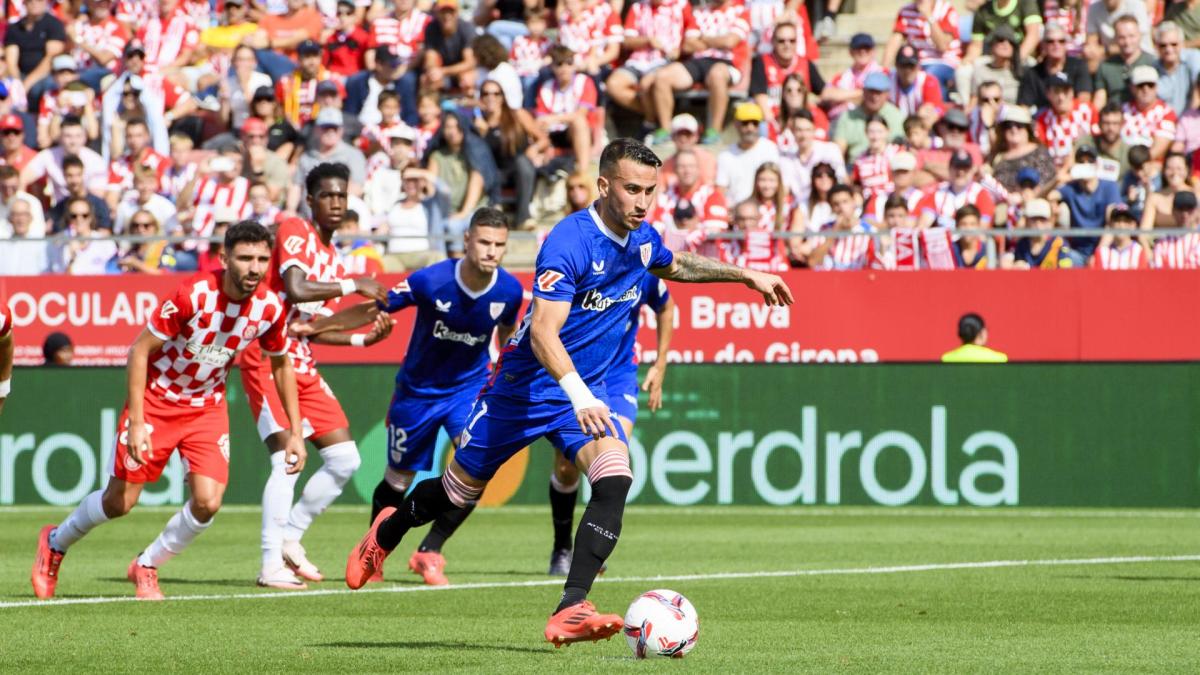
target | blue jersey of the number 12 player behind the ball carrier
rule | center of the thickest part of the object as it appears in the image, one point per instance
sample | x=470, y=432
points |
x=454, y=326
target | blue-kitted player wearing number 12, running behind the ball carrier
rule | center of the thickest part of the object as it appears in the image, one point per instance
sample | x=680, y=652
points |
x=459, y=303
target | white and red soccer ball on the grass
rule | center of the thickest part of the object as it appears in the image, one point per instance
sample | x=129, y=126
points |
x=662, y=624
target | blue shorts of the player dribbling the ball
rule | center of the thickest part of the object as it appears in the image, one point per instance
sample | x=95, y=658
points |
x=500, y=427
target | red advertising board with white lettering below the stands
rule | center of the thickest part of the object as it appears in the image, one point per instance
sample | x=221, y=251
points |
x=1078, y=315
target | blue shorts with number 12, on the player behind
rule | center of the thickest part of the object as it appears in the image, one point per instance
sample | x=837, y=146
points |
x=413, y=425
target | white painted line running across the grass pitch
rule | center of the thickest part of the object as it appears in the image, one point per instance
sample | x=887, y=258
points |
x=716, y=576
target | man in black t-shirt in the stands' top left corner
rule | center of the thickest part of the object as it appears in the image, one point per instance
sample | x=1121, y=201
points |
x=31, y=44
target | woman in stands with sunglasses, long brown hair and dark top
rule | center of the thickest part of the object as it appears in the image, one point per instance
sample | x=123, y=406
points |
x=518, y=144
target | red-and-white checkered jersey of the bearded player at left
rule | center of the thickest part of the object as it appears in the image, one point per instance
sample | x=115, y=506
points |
x=205, y=331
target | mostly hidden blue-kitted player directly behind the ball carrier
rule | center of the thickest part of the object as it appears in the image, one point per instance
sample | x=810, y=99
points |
x=622, y=389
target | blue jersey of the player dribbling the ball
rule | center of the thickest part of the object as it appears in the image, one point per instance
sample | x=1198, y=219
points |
x=584, y=264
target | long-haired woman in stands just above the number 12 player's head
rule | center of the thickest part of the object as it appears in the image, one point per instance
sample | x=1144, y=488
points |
x=467, y=178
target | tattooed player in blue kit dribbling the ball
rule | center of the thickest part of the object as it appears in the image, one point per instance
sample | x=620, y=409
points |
x=550, y=381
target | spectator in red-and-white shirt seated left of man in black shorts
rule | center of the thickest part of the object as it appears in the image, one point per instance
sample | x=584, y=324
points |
x=655, y=34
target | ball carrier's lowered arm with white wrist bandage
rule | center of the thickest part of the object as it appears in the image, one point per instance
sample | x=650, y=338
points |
x=549, y=318
